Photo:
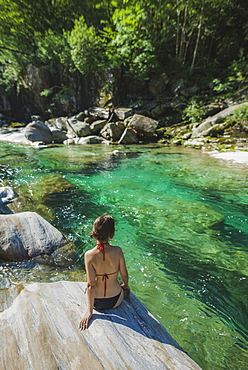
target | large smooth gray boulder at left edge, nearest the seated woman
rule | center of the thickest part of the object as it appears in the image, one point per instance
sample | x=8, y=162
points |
x=26, y=235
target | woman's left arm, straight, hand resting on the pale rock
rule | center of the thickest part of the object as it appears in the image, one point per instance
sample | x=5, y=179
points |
x=91, y=282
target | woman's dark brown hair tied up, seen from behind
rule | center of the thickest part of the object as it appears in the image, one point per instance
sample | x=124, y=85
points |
x=103, y=228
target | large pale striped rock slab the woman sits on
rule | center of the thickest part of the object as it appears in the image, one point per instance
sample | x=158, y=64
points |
x=40, y=331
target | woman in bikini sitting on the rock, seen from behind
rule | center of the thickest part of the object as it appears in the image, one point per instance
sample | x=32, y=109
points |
x=103, y=263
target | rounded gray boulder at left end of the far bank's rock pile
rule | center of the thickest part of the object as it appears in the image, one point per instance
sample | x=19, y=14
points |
x=38, y=131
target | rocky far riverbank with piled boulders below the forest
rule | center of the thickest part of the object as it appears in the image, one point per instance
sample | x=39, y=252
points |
x=222, y=129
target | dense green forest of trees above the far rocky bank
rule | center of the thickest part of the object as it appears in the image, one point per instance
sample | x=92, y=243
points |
x=60, y=56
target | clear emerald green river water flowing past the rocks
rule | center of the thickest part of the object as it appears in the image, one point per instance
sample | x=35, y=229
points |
x=182, y=221
